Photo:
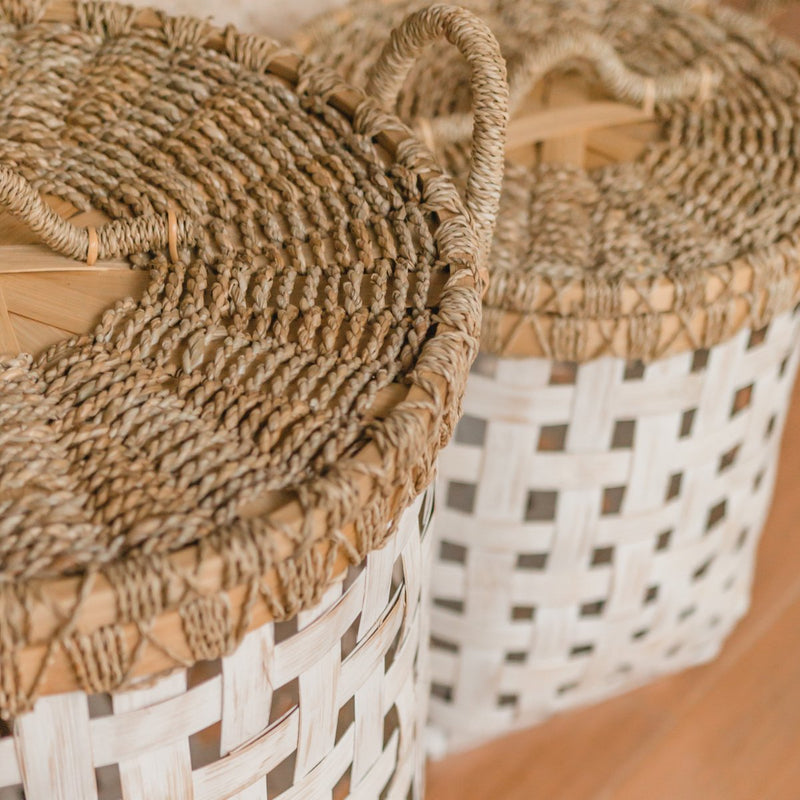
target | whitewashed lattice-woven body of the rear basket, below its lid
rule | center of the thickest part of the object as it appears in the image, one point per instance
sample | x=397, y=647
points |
x=598, y=524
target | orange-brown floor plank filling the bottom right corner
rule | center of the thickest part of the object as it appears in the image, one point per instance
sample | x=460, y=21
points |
x=742, y=736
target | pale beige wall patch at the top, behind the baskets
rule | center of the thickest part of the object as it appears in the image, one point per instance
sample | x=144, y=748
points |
x=278, y=18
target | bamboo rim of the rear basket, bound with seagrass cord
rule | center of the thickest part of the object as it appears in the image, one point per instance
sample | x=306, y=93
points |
x=563, y=318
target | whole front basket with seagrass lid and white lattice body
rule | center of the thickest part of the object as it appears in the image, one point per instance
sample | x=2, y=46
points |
x=238, y=305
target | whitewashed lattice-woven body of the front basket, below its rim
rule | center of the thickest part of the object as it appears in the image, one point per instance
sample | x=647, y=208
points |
x=328, y=705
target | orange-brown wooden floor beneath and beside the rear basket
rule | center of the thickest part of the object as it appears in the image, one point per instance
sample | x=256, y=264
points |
x=726, y=731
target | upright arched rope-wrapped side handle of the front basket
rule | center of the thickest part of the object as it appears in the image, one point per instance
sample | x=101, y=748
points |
x=489, y=88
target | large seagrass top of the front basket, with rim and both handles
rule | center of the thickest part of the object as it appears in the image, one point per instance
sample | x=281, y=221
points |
x=249, y=376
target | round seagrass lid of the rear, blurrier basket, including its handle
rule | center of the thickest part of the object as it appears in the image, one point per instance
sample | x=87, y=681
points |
x=651, y=202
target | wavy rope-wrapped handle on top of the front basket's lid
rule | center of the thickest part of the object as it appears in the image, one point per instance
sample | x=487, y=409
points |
x=113, y=240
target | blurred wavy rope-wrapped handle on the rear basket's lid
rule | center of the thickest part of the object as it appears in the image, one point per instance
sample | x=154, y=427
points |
x=623, y=82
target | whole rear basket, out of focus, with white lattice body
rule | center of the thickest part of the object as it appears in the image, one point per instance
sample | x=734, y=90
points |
x=602, y=501
